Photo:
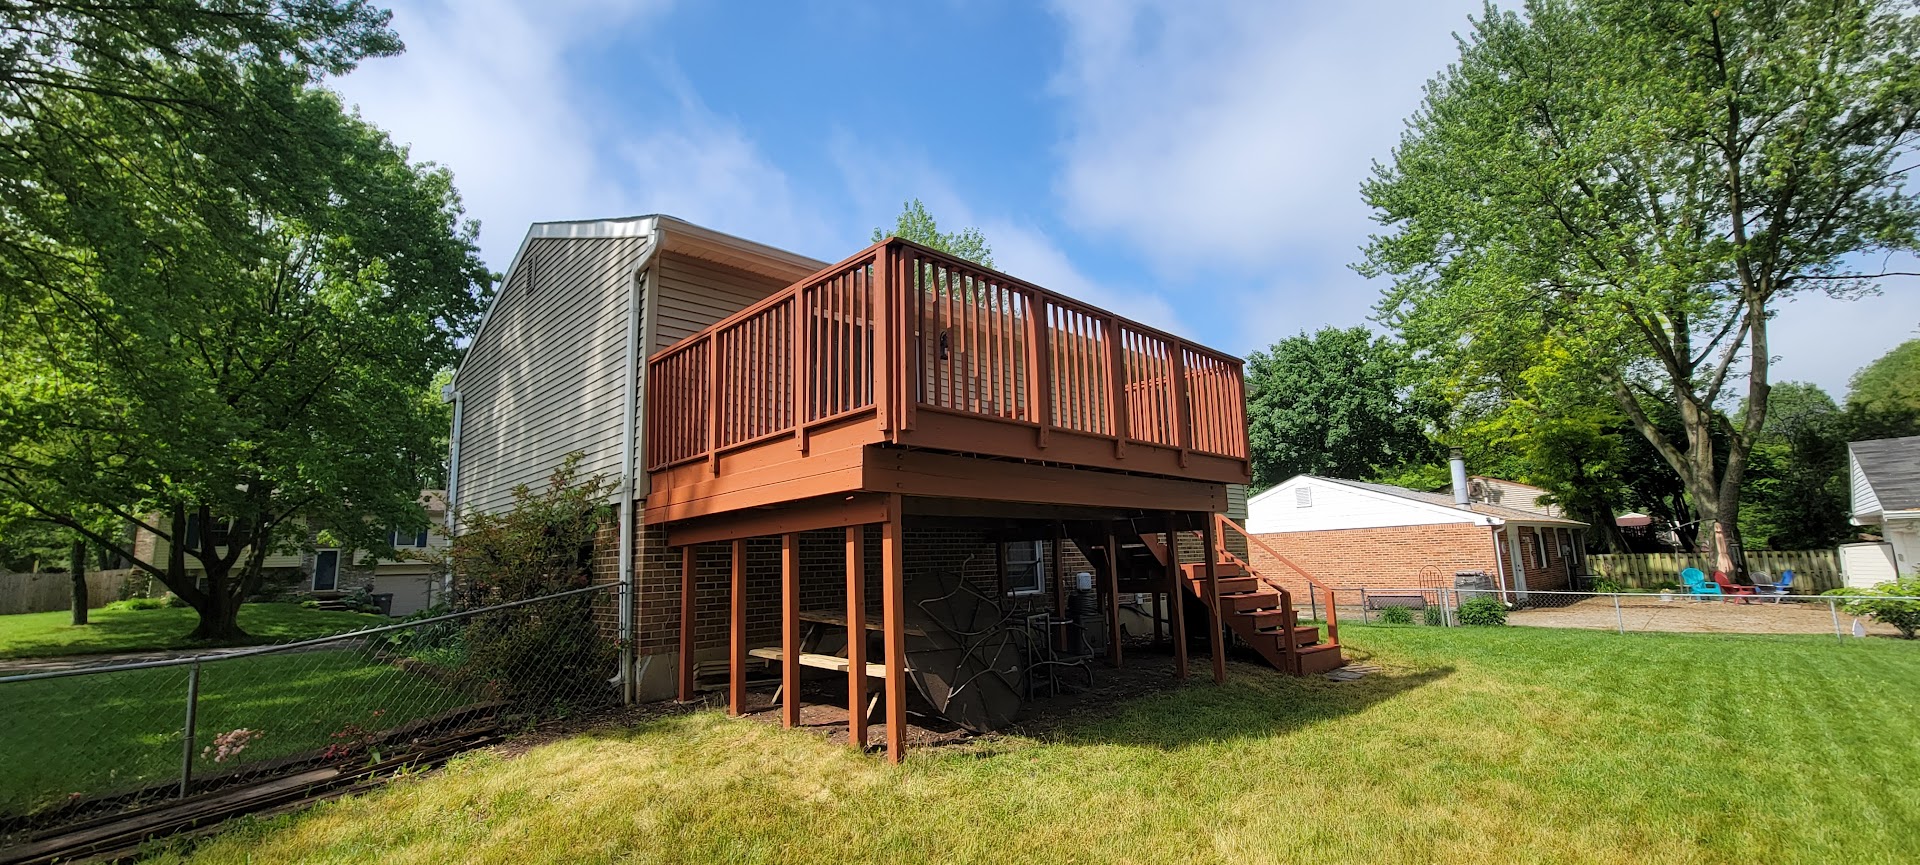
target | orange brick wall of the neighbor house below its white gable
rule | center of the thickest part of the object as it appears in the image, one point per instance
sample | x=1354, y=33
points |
x=1385, y=557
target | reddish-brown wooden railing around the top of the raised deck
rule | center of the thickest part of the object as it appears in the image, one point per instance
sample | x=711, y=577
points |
x=901, y=329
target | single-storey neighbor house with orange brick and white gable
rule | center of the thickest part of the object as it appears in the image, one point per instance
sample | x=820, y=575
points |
x=1376, y=536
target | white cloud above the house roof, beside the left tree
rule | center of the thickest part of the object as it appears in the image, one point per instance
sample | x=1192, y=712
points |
x=494, y=91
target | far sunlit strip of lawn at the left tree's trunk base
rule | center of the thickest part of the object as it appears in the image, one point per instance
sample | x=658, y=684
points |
x=51, y=634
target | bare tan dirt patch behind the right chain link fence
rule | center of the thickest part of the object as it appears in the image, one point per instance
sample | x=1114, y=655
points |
x=1681, y=615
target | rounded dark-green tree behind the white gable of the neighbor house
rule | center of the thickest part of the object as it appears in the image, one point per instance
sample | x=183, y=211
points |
x=1332, y=404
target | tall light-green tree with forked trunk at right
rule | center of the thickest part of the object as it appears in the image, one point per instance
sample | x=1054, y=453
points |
x=1646, y=181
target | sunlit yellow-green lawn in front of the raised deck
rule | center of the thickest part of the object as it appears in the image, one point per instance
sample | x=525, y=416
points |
x=1476, y=745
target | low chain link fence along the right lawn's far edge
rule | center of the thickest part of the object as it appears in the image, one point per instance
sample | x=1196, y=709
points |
x=1625, y=613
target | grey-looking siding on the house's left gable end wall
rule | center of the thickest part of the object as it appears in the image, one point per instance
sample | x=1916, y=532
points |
x=546, y=375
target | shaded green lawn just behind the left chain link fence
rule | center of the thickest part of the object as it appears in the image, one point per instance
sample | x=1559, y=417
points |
x=122, y=732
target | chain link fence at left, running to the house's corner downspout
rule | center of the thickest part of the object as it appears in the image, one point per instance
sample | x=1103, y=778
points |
x=103, y=739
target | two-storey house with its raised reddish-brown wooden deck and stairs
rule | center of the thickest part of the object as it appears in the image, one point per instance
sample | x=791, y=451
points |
x=798, y=442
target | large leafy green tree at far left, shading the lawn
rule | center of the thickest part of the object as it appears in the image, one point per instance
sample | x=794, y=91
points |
x=224, y=294
